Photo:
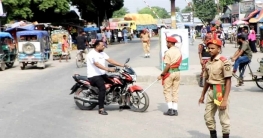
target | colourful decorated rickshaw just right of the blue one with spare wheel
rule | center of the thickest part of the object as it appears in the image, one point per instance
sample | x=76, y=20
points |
x=56, y=43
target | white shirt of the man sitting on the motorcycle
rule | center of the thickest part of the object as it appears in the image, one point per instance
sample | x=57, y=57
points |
x=92, y=57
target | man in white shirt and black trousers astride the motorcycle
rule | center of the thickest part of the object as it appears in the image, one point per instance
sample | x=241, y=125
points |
x=96, y=71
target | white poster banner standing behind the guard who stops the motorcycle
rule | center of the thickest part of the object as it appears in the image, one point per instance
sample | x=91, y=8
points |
x=181, y=35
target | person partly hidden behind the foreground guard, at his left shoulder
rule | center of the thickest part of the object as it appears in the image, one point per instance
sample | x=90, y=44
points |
x=204, y=55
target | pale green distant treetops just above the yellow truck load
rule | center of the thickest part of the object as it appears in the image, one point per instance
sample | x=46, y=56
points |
x=161, y=12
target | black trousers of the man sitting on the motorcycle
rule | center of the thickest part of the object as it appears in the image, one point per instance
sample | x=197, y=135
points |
x=99, y=82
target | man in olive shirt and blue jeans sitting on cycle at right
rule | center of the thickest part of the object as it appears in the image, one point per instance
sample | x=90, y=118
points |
x=242, y=55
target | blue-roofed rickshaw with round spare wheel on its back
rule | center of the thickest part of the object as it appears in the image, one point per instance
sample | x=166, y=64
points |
x=33, y=48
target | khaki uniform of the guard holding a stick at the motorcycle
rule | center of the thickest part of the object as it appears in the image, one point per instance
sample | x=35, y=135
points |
x=171, y=83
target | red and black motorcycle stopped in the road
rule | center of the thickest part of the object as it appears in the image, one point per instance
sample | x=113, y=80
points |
x=119, y=89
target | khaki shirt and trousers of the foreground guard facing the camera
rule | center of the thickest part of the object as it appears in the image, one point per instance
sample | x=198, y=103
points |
x=215, y=73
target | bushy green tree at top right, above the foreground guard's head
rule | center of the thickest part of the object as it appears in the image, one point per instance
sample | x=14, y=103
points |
x=205, y=10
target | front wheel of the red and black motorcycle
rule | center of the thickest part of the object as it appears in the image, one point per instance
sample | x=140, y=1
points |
x=139, y=101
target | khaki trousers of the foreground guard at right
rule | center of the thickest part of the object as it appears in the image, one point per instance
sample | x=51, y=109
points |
x=210, y=111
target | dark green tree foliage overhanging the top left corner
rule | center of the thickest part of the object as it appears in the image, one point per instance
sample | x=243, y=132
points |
x=26, y=9
